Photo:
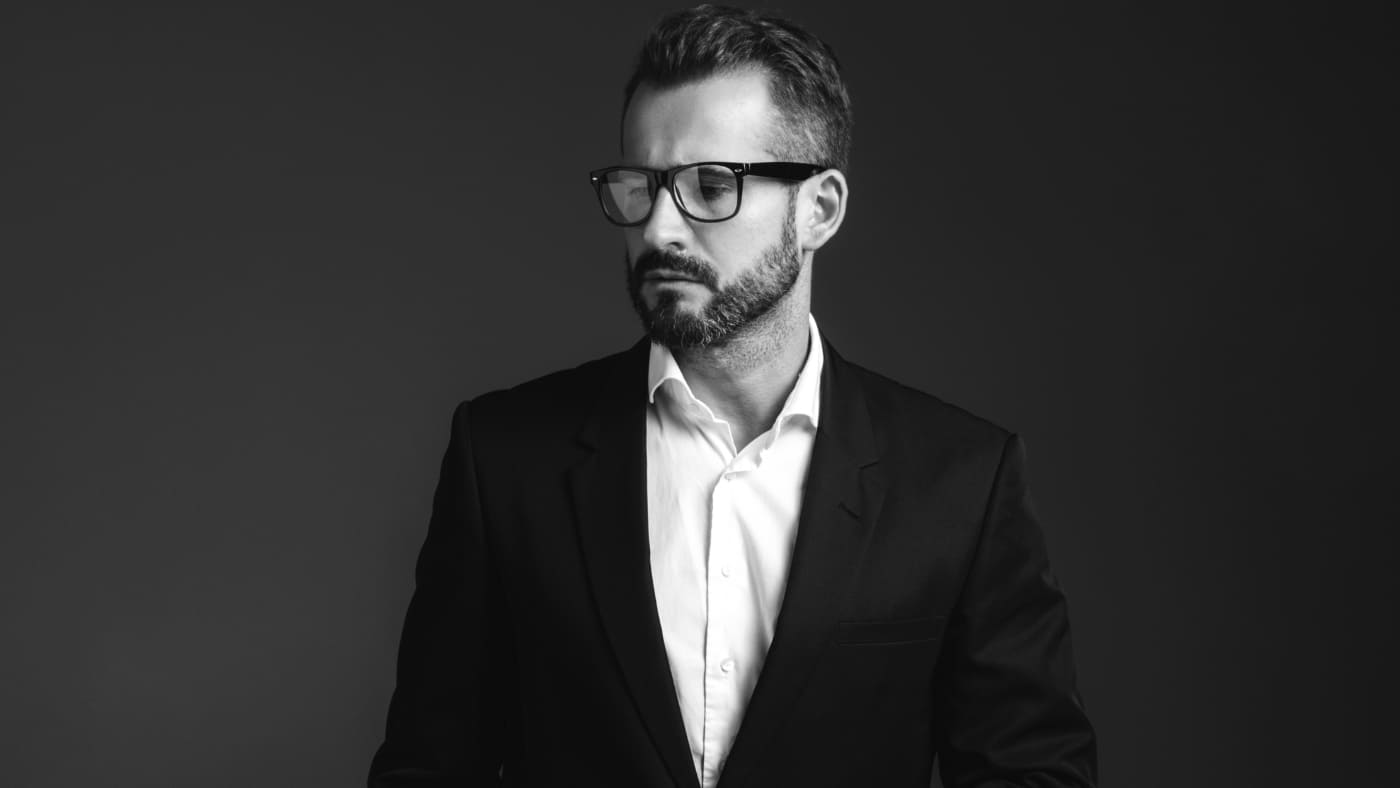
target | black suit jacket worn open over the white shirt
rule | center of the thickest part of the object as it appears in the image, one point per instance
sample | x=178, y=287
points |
x=920, y=614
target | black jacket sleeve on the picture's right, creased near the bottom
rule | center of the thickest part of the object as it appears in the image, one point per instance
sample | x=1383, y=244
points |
x=1009, y=710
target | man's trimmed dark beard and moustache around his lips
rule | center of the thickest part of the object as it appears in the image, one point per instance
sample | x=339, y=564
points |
x=731, y=309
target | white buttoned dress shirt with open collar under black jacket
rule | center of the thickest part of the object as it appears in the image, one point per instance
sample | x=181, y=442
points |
x=722, y=523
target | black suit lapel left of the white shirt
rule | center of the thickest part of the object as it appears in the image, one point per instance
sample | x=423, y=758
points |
x=610, y=489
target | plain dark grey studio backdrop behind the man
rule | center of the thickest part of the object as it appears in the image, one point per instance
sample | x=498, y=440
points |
x=253, y=257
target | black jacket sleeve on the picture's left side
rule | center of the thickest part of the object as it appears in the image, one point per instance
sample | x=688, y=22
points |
x=447, y=719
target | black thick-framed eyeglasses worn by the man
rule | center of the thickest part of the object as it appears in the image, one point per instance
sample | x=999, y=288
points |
x=708, y=191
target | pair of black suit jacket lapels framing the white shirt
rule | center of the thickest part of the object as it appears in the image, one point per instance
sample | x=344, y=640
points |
x=841, y=505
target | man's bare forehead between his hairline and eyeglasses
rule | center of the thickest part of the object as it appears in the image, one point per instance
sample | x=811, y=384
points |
x=722, y=117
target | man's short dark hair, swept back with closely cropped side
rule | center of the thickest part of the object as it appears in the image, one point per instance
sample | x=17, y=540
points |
x=804, y=75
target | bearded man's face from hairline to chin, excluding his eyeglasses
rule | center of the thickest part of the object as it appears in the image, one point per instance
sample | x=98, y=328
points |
x=694, y=283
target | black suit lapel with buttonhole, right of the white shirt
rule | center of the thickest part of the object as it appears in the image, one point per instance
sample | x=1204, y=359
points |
x=841, y=505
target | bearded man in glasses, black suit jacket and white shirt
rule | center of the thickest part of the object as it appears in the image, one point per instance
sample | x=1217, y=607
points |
x=729, y=556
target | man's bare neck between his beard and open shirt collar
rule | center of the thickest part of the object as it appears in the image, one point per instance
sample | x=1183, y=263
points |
x=747, y=380
